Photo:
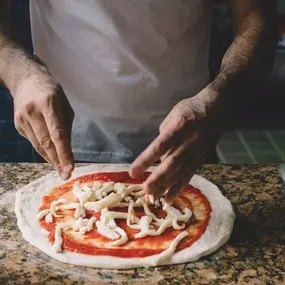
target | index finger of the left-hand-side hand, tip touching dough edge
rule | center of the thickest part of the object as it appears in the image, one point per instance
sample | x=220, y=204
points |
x=60, y=134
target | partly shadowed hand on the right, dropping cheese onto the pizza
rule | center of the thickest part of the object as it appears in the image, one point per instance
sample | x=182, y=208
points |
x=187, y=136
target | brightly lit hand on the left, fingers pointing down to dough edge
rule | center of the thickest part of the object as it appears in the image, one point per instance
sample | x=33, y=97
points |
x=44, y=116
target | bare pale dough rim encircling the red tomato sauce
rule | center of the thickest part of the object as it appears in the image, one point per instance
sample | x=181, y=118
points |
x=28, y=200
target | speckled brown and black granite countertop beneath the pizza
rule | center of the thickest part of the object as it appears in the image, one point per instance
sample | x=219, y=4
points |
x=255, y=253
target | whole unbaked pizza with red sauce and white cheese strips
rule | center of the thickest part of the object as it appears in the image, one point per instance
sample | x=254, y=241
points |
x=100, y=218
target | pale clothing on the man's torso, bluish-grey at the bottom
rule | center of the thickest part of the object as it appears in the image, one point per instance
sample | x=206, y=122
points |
x=123, y=65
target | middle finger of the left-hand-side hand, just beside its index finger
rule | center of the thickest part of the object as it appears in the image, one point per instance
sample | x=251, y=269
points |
x=42, y=135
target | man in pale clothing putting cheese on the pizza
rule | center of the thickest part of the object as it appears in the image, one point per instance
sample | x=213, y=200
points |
x=136, y=75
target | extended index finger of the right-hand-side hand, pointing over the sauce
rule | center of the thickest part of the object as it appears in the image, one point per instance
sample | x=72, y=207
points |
x=153, y=153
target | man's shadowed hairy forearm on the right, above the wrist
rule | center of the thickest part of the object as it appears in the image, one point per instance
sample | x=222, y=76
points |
x=248, y=60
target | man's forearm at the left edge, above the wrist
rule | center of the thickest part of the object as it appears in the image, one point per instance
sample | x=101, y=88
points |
x=15, y=63
